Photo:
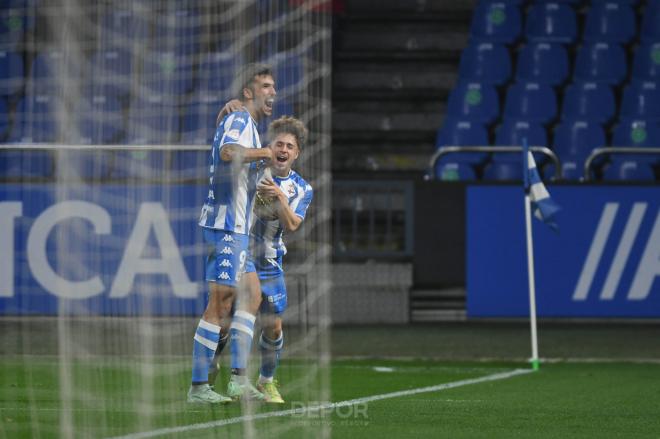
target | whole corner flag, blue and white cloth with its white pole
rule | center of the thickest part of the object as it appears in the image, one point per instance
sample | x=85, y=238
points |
x=538, y=199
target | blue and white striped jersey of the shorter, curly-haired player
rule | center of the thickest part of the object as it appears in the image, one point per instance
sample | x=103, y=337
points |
x=267, y=235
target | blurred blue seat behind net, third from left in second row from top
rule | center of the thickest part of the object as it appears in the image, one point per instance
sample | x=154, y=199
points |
x=111, y=71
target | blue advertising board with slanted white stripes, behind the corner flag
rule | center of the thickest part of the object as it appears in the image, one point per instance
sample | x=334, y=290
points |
x=603, y=262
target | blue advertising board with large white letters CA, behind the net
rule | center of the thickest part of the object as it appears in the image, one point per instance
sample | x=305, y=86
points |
x=101, y=249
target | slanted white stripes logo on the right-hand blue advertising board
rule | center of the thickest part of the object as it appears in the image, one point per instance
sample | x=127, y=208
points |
x=647, y=269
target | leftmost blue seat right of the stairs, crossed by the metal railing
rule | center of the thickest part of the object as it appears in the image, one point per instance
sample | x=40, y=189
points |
x=456, y=132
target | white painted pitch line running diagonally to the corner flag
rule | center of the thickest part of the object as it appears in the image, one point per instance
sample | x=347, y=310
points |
x=328, y=406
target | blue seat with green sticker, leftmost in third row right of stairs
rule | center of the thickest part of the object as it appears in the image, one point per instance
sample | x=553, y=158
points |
x=474, y=101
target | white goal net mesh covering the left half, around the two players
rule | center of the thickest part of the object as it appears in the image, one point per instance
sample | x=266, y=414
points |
x=110, y=111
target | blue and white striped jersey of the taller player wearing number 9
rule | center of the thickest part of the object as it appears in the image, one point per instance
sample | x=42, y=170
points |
x=232, y=187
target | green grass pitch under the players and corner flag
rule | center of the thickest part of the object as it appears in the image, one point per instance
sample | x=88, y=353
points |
x=104, y=397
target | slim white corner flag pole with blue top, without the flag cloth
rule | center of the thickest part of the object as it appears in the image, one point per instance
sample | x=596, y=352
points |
x=530, y=261
